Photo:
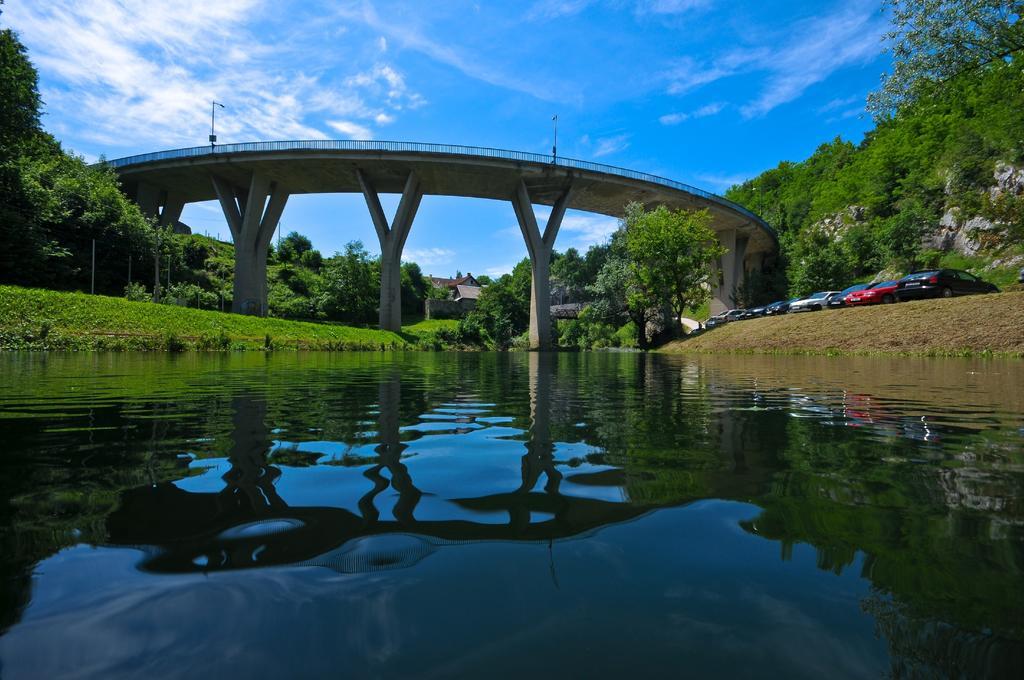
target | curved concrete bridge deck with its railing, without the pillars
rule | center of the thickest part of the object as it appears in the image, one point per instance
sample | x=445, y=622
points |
x=329, y=166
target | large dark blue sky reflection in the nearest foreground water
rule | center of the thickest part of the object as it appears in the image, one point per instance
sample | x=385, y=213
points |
x=702, y=591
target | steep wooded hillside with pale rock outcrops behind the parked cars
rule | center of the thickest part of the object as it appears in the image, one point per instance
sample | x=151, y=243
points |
x=942, y=184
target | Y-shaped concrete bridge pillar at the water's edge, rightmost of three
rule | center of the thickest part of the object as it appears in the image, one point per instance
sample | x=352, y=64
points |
x=539, y=246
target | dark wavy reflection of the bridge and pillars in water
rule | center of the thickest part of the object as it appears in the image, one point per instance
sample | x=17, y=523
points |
x=248, y=524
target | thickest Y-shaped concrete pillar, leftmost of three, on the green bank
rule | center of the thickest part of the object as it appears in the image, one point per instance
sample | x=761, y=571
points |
x=252, y=216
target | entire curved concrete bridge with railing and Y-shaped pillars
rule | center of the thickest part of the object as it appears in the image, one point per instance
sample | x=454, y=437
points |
x=252, y=182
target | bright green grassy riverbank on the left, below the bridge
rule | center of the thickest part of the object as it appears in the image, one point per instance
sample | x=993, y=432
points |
x=42, y=320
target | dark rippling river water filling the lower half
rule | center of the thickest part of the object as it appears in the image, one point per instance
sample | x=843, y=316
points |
x=503, y=516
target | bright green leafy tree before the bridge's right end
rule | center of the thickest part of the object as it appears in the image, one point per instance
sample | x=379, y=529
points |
x=671, y=256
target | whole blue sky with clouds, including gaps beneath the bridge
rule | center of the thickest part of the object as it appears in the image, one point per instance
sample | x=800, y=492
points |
x=709, y=93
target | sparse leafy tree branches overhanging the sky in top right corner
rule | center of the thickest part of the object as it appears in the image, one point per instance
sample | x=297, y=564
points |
x=934, y=41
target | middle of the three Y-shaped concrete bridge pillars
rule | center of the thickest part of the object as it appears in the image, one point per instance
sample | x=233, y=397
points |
x=393, y=241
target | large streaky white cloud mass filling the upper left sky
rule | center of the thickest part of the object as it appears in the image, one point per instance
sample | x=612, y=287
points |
x=137, y=73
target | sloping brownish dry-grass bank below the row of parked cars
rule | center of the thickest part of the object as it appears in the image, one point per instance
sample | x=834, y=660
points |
x=967, y=326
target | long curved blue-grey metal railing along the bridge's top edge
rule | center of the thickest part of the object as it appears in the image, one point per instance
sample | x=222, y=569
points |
x=426, y=148
